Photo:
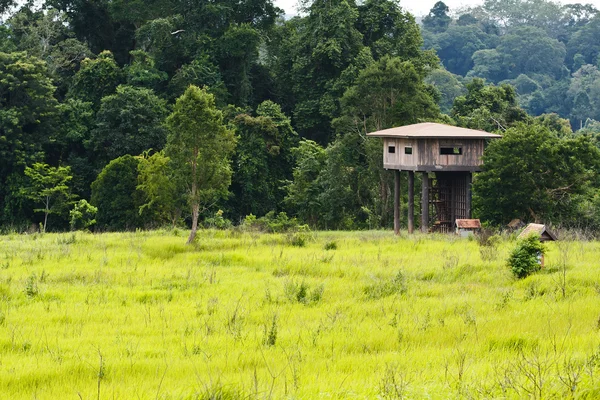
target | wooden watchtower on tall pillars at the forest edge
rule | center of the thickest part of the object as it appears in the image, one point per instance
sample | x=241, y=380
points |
x=447, y=156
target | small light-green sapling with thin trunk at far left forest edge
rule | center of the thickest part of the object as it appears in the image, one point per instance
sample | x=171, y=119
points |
x=49, y=186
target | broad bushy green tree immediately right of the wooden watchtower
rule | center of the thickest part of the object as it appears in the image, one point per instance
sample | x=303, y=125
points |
x=534, y=175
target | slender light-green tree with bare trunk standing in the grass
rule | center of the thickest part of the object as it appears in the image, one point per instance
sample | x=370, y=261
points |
x=200, y=146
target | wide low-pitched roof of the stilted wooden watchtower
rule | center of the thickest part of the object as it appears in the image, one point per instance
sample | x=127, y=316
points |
x=431, y=130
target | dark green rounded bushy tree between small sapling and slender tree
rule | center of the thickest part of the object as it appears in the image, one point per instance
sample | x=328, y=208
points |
x=115, y=194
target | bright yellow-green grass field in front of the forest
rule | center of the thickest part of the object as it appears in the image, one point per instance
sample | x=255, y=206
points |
x=358, y=315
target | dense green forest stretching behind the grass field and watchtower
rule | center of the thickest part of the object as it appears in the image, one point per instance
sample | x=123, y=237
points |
x=121, y=114
